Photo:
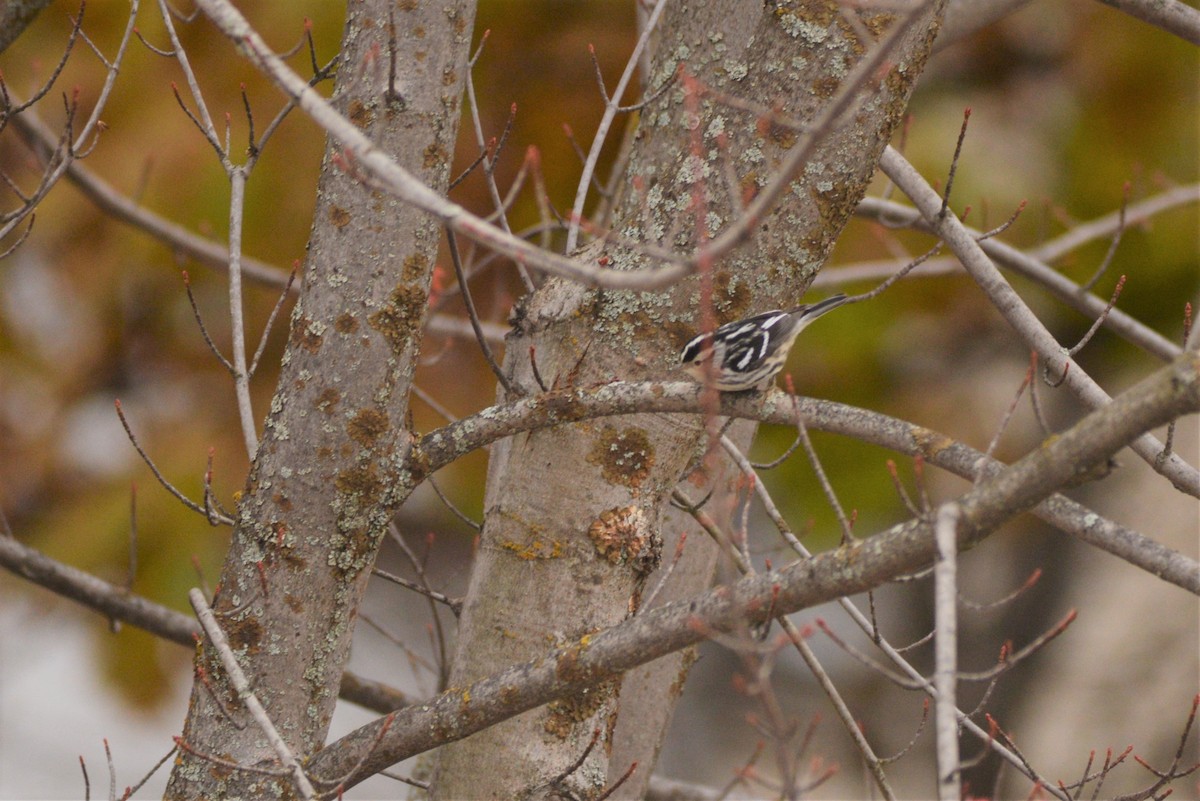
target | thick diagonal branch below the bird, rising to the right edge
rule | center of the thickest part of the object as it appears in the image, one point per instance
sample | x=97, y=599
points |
x=851, y=569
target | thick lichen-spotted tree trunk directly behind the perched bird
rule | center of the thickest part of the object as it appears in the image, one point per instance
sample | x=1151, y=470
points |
x=573, y=515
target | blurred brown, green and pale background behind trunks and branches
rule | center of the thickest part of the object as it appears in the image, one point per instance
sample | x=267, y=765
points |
x=1071, y=101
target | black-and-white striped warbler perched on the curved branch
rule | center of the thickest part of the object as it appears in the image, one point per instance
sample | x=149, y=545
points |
x=748, y=354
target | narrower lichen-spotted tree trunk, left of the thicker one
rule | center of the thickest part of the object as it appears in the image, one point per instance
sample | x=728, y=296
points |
x=322, y=489
